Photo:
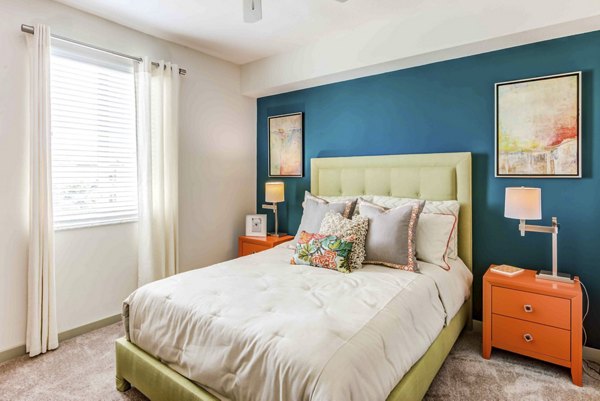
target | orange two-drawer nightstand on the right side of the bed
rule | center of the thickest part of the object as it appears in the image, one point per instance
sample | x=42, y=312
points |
x=534, y=317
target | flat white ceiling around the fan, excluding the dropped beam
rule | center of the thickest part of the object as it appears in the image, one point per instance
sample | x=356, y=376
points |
x=216, y=27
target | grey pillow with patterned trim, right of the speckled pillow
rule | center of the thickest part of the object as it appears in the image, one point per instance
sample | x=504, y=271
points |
x=392, y=234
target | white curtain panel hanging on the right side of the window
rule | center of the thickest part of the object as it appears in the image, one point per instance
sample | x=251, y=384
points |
x=157, y=89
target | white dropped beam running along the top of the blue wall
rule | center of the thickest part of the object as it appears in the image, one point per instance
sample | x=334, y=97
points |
x=427, y=34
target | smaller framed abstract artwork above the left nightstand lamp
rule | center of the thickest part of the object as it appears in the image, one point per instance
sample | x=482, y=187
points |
x=286, y=152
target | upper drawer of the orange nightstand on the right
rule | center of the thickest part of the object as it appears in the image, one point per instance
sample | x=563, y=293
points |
x=551, y=311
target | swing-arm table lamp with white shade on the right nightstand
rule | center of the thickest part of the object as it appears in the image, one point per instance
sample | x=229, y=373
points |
x=526, y=204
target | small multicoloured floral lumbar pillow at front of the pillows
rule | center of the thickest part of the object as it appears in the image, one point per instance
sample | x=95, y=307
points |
x=327, y=251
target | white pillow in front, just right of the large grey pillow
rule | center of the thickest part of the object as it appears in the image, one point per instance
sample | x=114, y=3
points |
x=434, y=234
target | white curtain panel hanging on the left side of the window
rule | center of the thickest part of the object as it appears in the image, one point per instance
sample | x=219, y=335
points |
x=42, y=332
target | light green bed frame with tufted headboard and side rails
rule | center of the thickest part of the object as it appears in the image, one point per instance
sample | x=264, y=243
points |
x=438, y=176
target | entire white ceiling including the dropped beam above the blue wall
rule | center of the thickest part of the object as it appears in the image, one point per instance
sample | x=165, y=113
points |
x=304, y=43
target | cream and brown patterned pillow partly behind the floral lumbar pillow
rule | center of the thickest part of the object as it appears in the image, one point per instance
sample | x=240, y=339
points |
x=336, y=224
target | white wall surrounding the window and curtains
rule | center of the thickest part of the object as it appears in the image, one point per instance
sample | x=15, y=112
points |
x=96, y=267
